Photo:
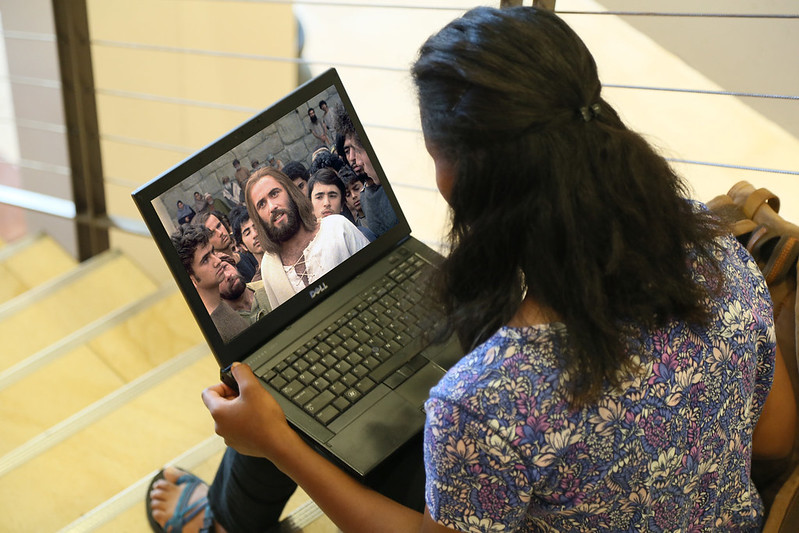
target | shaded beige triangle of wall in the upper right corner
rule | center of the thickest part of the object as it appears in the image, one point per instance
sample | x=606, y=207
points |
x=750, y=55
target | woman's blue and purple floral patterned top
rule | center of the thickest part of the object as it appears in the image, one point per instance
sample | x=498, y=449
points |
x=668, y=450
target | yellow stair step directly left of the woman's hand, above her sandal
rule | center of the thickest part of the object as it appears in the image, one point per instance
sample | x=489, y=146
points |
x=90, y=457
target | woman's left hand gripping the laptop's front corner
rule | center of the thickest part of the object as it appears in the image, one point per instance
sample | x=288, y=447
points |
x=252, y=423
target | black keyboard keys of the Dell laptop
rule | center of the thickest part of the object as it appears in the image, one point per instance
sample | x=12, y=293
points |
x=376, y=339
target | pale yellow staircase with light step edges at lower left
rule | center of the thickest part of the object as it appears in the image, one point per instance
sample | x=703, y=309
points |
x=100, y=381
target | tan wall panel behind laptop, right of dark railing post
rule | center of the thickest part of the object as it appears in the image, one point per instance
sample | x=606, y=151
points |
x=173, y=76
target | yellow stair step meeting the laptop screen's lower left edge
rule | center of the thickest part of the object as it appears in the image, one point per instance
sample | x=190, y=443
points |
x=82, y=368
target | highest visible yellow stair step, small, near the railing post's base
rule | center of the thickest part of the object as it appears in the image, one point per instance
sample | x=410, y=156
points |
x=29, y=262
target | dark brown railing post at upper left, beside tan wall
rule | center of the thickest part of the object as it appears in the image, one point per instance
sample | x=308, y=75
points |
x=83, y=135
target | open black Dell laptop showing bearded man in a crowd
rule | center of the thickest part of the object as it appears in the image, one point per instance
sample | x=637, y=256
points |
x=323, y=300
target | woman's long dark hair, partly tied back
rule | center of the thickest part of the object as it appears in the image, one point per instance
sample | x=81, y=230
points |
x=553, y=196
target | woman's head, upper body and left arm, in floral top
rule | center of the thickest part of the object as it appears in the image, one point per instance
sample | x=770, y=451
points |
x=621, y=346
